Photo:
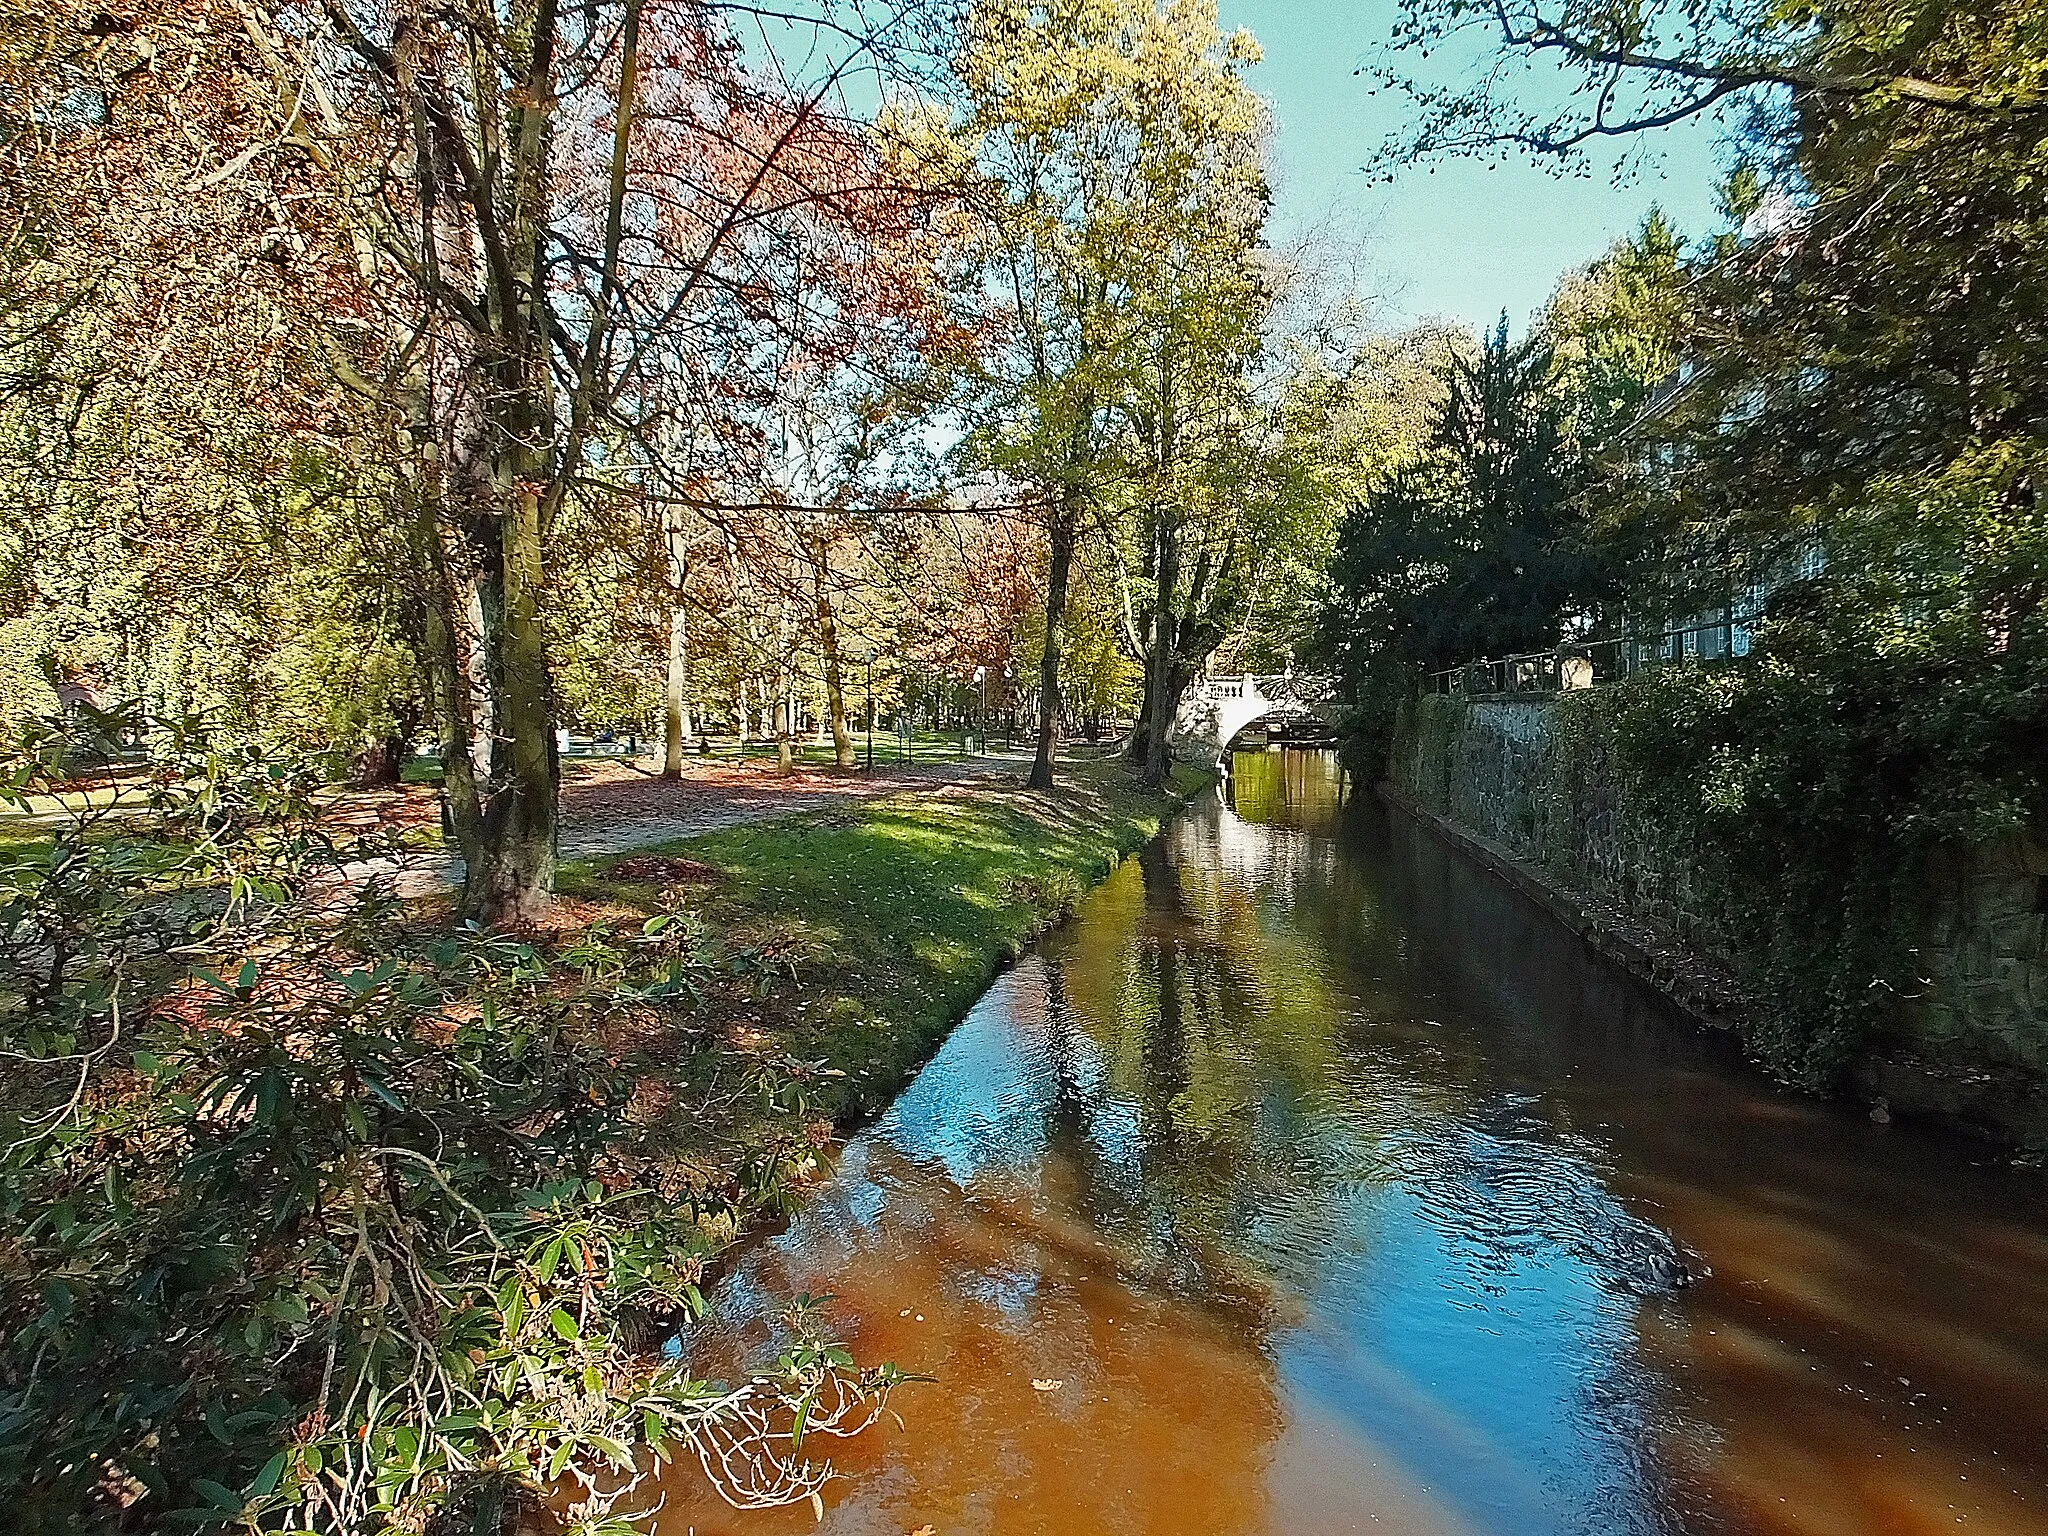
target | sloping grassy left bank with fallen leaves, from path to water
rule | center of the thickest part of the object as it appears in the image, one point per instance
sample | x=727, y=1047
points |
x=857, y=937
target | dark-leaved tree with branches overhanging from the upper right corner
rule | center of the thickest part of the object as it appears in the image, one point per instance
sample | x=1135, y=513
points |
x=1869, y=310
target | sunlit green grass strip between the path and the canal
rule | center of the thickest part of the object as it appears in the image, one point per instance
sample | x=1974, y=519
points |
x=898, y=914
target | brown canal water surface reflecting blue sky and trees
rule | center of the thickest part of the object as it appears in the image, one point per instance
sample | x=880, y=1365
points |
x=1340, y=1191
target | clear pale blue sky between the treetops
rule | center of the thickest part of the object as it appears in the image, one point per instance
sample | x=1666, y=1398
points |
x=1461, y=243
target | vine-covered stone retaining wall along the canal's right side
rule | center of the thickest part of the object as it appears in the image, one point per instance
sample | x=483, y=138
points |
x=1533, y=790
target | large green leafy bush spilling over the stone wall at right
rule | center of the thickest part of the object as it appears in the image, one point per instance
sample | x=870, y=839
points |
x=1895, y=706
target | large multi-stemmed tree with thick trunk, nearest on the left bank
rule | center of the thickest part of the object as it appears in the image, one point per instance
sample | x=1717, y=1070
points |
x=544, y=206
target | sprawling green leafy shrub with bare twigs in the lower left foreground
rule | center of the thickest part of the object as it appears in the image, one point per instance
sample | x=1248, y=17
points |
x=321, y=1222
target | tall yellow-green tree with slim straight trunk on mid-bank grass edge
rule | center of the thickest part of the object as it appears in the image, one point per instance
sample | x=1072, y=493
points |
x=1119, y=155
